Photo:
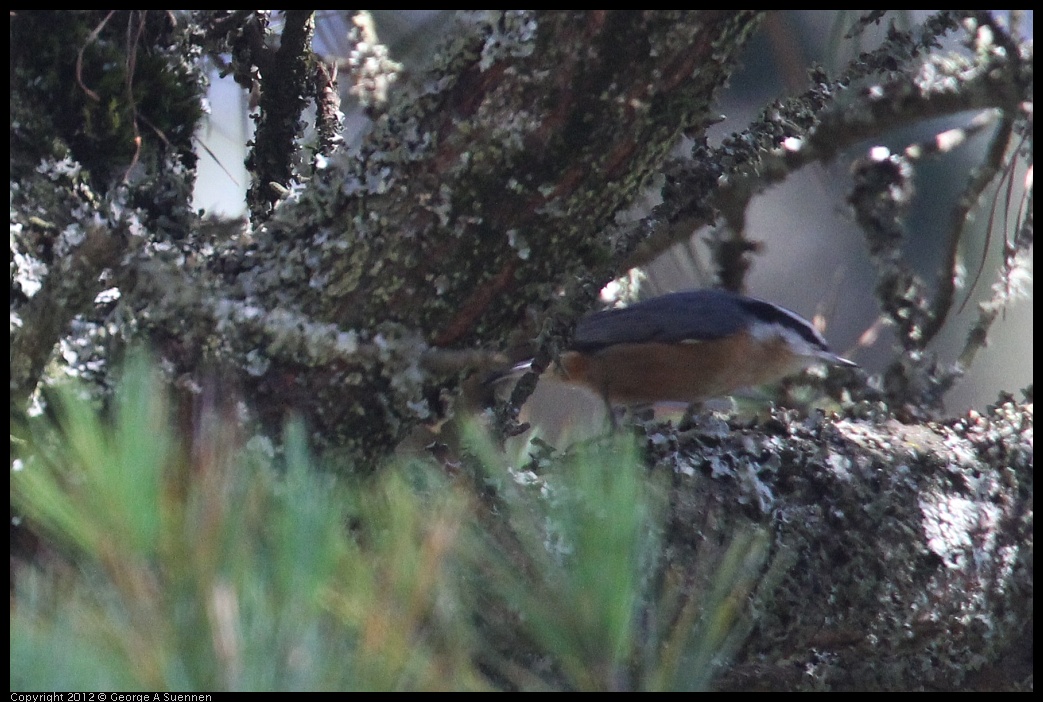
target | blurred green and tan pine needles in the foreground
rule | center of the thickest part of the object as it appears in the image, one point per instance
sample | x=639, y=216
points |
x=223, y=564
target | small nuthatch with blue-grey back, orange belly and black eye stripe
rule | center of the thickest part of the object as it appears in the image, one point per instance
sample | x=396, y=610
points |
x=691, y=347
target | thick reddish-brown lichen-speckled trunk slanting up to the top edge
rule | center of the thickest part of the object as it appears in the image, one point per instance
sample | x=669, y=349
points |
x=532, y=133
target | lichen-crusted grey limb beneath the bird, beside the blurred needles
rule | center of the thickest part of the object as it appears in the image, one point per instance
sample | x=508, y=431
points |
x=911, y=546
